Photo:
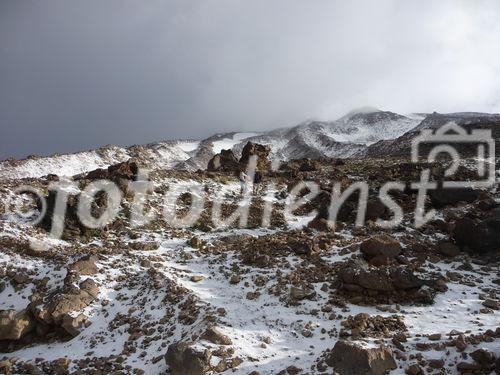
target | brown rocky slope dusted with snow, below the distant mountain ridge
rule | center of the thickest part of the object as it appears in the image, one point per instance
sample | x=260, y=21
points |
x=291, y=297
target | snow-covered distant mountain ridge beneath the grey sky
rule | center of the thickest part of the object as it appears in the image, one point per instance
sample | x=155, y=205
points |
x=366, y=132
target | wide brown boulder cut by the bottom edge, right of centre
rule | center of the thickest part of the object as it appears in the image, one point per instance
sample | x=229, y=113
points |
x=348, y=358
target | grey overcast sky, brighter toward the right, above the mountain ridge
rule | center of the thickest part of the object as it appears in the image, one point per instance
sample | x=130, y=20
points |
x=75, y=75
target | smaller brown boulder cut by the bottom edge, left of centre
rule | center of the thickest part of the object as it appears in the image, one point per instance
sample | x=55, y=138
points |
x=185, y=359
